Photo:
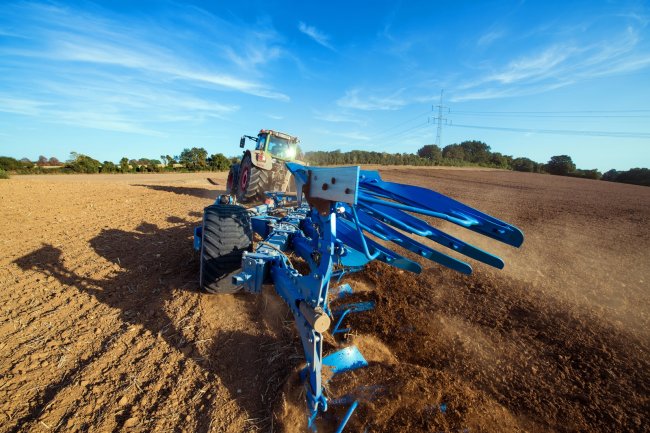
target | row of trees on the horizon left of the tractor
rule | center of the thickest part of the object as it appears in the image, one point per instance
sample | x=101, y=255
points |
x=194, y=159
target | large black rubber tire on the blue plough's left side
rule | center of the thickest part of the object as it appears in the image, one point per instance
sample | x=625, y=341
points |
x=227, y=233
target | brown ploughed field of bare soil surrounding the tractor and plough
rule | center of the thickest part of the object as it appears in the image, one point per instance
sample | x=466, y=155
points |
x=103, y=328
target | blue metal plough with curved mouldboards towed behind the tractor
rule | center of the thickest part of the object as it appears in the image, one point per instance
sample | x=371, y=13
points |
x=329, y=227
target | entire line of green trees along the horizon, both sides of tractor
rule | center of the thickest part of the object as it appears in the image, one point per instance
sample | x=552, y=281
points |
x=467, y=153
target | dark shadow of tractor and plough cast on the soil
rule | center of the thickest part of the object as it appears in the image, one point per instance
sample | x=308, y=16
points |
x=154, y=263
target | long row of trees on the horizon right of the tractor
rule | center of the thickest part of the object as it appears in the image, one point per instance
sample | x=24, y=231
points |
x=475, y=153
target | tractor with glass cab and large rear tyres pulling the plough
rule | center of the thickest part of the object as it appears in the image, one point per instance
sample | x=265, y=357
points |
x=263, y=169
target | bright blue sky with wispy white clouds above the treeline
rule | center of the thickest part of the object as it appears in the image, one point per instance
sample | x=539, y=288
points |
x=141, y=79
